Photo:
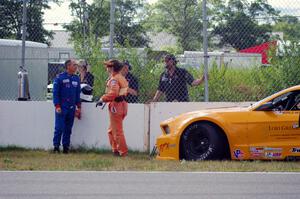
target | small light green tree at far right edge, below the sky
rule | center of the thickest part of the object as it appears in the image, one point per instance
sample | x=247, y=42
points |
x=290, y=26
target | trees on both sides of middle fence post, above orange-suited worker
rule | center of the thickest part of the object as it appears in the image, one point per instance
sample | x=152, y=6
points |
x=127, y=29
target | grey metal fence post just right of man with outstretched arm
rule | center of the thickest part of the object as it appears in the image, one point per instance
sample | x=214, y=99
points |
x=205, y=46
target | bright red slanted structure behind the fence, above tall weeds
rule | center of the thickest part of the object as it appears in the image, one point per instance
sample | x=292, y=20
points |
x=261, y=49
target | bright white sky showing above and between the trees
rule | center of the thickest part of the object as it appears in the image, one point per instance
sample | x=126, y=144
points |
x=61, y=14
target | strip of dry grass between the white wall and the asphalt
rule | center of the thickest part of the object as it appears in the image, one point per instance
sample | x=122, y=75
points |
x=14, y=158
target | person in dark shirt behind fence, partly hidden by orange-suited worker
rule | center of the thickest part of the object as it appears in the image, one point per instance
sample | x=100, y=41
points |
x=133, y=83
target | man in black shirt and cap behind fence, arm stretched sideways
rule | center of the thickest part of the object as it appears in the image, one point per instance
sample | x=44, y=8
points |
x=173, y=82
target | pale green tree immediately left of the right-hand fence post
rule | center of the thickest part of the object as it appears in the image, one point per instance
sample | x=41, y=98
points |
x=181, y=18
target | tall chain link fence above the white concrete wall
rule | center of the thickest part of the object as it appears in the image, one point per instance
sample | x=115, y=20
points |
x=253, y=46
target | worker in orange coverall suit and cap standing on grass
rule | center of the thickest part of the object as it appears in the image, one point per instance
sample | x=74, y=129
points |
x=116, y=90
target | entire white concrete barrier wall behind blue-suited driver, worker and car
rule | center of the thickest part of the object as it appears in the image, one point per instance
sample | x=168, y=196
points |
x=31, y=124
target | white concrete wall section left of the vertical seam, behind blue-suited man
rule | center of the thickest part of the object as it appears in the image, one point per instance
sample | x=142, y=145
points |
x=31, y=124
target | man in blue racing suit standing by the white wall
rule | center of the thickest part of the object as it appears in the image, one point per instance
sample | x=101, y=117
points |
x=66, y=92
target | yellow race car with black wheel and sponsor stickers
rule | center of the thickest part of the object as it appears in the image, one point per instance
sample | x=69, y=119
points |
x=268, y=129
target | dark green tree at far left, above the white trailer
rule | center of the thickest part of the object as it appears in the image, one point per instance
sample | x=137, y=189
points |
x=11, y=20
